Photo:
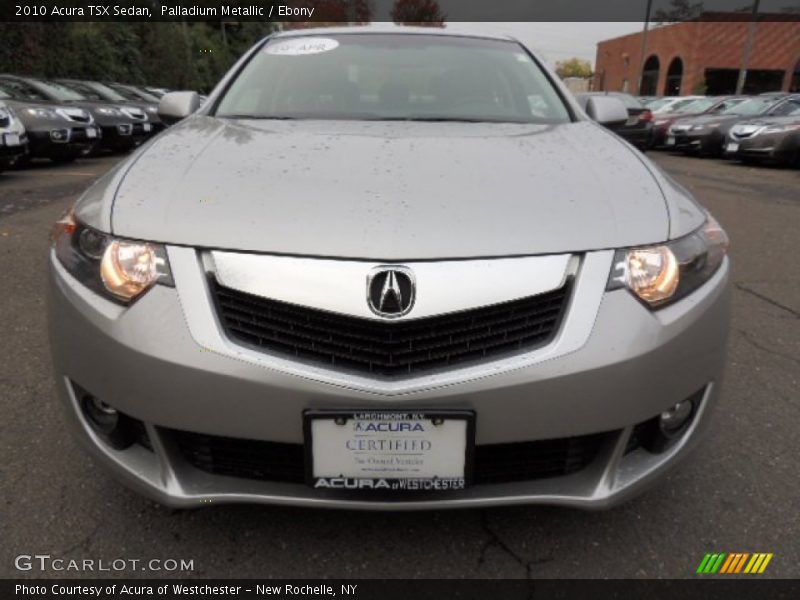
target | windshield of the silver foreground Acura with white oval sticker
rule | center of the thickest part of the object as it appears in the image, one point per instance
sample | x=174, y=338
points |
x=393, y=77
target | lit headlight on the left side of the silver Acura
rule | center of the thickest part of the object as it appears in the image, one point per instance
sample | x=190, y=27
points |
x=119, y=269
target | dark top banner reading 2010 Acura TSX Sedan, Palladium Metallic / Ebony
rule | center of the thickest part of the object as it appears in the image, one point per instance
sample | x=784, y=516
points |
x=407, y=11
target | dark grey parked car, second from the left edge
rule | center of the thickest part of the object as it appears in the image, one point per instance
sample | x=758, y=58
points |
x=60, y=133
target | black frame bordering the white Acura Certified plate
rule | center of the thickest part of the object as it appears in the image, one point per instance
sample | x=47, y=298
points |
x=376, y=481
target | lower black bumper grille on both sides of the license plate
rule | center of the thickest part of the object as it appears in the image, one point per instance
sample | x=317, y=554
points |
x=281, y=462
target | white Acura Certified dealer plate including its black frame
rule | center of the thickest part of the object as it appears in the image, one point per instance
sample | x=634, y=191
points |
x=389, y=450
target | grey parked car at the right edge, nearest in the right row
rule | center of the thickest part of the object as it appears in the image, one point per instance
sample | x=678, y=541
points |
x=768, y=139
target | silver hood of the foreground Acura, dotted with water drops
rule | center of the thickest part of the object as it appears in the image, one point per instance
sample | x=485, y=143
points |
x=380, y=190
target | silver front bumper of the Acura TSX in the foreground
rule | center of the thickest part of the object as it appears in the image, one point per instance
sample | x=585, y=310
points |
x=145, y=362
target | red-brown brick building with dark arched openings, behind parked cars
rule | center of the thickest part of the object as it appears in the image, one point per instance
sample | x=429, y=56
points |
x=703, y=56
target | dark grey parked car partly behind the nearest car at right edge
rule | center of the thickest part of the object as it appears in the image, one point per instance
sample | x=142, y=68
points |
x=706, y=134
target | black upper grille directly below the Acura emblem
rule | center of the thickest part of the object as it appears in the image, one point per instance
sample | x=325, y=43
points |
x=390, y=348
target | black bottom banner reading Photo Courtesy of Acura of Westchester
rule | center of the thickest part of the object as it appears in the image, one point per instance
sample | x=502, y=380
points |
x=708, y=588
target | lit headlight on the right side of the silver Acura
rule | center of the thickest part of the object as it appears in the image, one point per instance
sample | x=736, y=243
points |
x=662, y=274
